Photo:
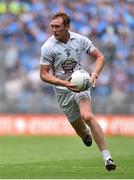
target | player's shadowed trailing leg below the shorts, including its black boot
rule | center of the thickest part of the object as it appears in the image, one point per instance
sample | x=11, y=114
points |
x=83, y=131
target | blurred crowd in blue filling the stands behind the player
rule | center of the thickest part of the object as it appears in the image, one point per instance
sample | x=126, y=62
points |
x=24, y=27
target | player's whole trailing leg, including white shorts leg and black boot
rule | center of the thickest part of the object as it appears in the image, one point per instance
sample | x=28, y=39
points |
x=71, y=110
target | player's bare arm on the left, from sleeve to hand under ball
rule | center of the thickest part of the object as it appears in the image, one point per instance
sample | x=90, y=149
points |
x=47, y=77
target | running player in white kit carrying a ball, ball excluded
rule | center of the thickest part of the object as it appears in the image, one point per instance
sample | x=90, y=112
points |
x=61, y=55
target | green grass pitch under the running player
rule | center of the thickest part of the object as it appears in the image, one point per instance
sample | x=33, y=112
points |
x=63, y=158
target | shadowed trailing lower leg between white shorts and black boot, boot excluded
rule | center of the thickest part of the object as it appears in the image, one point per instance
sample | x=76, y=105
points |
x=80, y=127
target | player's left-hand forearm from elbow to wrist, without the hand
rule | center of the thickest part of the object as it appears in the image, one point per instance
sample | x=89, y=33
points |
x=52, y=80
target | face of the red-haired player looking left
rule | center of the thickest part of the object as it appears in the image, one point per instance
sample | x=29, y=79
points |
x=59, y=30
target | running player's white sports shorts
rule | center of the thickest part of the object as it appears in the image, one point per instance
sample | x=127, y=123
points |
x=69, y=101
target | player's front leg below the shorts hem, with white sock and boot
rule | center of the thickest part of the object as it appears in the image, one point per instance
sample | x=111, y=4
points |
x=97, y=133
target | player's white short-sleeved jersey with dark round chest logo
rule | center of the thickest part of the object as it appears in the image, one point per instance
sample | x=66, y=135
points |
x=65, y=58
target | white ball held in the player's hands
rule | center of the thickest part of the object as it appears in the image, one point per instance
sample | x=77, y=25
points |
x=81, y=79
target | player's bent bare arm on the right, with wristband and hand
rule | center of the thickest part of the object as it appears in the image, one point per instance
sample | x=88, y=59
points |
x=100, y=61
